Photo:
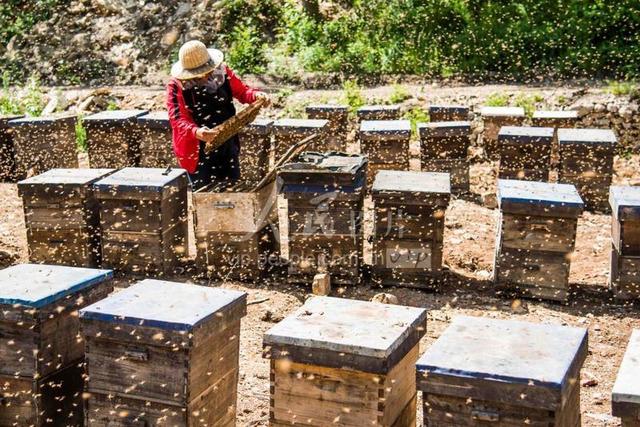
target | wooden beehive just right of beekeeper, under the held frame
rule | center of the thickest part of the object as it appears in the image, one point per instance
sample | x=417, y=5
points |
x=255, y=143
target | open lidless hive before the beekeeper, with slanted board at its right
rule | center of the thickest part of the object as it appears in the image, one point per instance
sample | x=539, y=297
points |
x=236, y=230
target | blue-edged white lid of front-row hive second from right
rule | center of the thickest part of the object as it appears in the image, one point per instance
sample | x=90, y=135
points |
x=507, y=351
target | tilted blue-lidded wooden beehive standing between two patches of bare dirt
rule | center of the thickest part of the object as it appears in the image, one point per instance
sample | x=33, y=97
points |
x=536, y=237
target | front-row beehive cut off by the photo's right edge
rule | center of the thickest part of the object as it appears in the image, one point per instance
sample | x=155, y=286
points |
x=625, y=398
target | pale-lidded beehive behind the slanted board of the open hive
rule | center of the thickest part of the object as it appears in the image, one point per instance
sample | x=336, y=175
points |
x=286, y=132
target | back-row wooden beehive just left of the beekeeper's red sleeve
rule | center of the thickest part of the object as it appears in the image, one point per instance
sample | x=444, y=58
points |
x=156, y=140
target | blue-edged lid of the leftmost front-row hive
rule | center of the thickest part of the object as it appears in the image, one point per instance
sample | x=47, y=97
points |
x=39, y=285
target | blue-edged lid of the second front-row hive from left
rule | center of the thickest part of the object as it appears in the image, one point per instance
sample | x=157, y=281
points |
x=166, y=305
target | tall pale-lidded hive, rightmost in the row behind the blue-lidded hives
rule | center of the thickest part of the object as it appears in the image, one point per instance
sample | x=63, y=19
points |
x=586, y=161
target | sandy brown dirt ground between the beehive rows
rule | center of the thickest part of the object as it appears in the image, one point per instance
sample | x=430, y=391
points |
x=469, y=251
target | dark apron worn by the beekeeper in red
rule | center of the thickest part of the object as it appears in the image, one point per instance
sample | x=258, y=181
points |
x=220, y=167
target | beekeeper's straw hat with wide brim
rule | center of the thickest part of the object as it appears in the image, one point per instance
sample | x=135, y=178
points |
x=195, y=60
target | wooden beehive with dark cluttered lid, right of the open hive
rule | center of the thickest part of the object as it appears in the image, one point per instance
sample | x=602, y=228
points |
x=307, y=250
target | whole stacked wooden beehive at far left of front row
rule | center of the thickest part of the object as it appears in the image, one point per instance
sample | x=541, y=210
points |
x=40, y=353
